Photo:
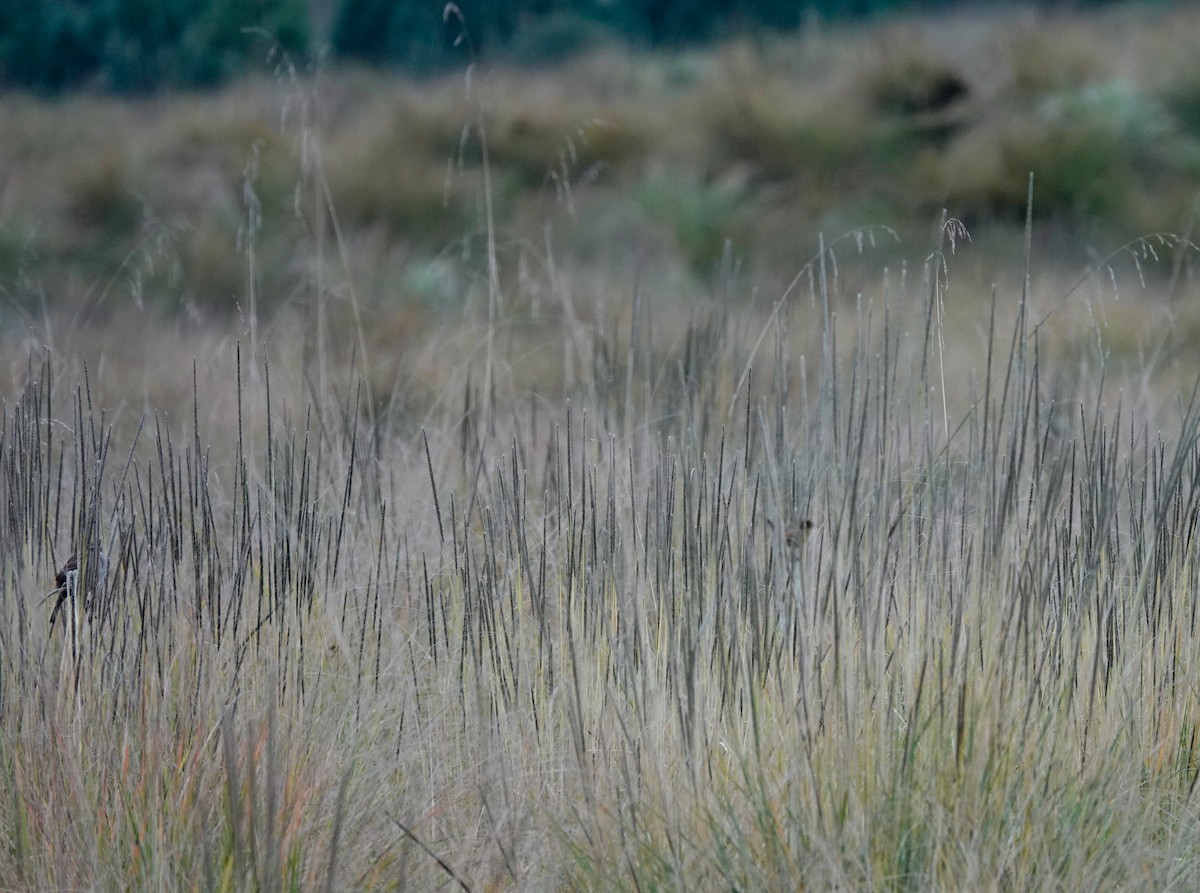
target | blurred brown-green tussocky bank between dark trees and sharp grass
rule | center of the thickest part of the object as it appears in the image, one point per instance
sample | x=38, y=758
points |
x=691, y=163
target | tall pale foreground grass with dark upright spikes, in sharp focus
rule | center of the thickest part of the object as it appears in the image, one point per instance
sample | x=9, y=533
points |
x=549, y=645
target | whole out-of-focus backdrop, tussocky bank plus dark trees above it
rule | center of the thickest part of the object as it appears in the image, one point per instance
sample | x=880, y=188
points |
x=709, y=146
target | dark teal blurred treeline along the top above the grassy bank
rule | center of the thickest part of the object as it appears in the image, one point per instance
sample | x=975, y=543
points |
x=136, y=46
